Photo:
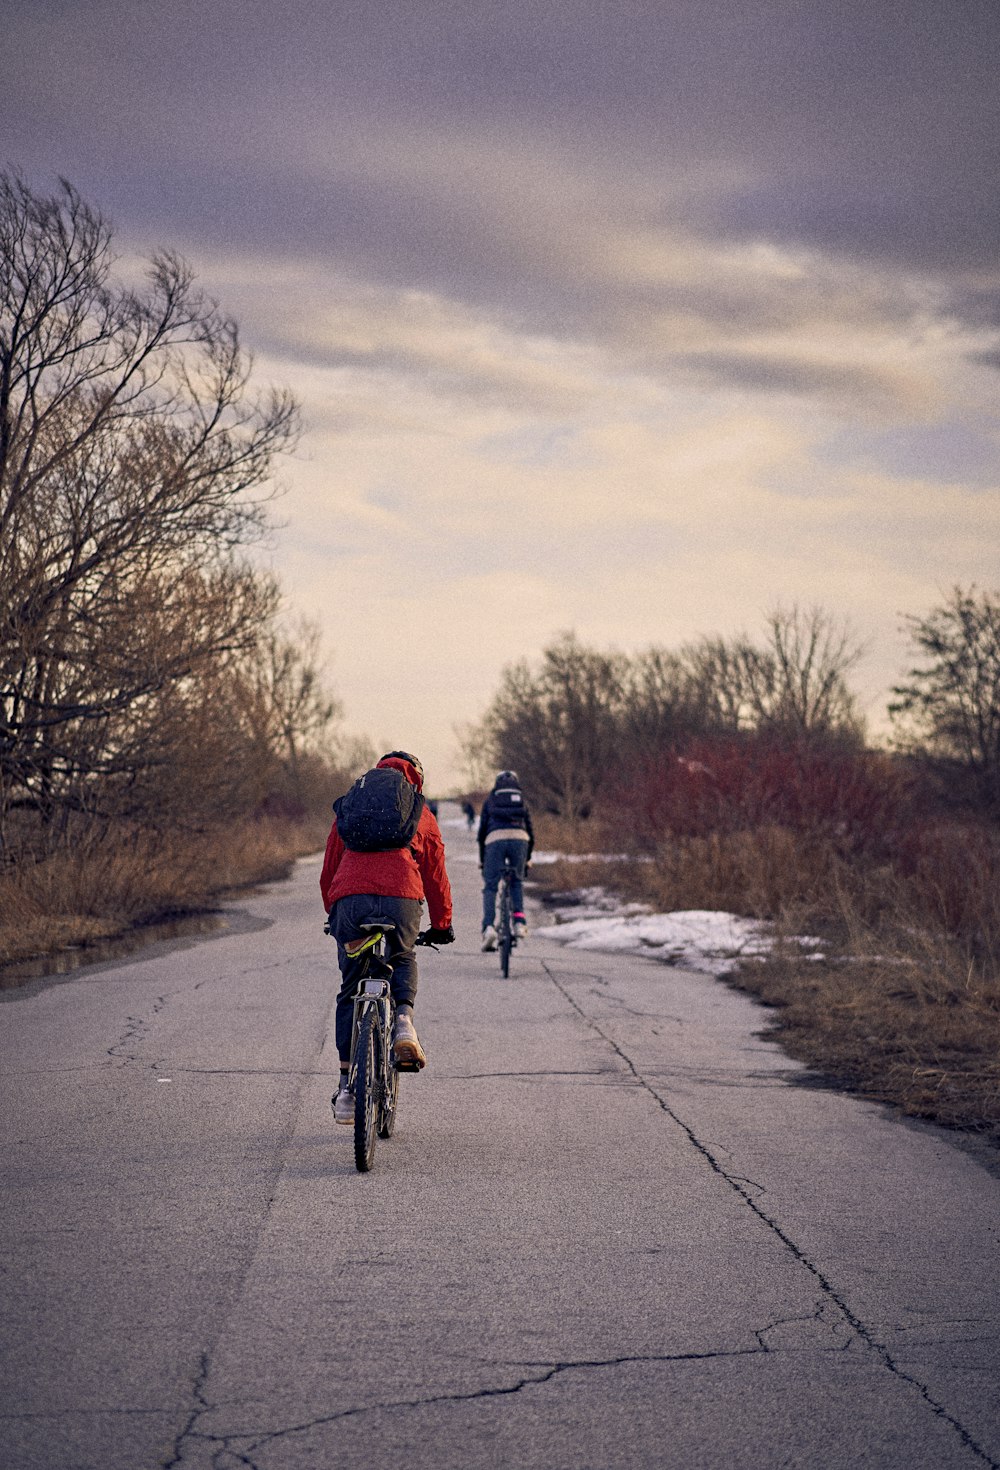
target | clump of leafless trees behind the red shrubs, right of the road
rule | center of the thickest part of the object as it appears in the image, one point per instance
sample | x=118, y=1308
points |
x=582, y=720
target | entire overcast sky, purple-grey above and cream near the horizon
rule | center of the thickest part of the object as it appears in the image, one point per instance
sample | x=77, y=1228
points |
x=633, y=320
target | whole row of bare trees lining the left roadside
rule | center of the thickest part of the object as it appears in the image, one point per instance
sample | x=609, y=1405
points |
x=145, y=670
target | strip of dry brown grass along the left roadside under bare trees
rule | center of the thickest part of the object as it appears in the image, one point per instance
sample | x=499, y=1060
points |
x=104, y=889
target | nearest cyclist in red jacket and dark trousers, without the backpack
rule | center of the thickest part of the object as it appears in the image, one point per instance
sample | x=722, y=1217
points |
x=390, y=886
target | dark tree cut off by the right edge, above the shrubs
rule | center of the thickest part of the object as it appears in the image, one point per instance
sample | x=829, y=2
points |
x=949, y=708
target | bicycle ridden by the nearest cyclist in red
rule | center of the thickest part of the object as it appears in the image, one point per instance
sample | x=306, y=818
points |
x=374, y=1074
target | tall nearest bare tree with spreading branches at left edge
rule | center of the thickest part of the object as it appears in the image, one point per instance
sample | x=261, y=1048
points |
x=135, y=459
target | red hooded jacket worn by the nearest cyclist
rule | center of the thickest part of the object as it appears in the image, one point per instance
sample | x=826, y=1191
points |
x=407, y=872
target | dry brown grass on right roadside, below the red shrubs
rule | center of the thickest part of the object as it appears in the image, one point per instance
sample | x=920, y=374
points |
x=907, y=1006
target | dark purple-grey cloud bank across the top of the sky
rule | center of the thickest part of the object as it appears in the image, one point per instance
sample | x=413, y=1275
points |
x=870, y=130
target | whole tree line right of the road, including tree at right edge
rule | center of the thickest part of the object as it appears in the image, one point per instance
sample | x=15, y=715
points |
x=583, y=723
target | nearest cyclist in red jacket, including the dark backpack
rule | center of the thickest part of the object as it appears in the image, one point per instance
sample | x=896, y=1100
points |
x=362, y=883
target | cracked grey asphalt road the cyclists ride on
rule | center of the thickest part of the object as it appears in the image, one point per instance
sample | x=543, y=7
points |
x=610, y=1231
